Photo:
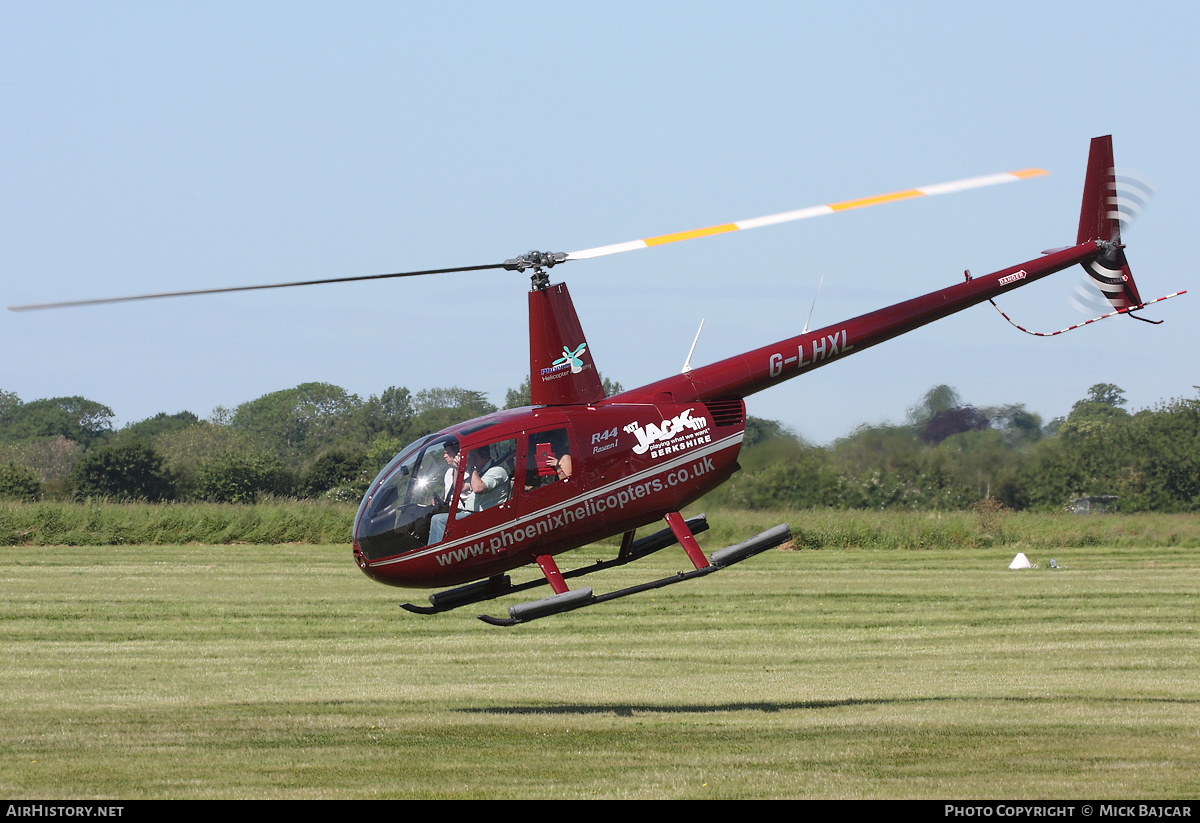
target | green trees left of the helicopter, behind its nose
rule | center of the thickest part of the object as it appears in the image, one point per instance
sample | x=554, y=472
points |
x=314, y=441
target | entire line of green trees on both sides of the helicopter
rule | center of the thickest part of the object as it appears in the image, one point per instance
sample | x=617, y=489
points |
x=319, y=441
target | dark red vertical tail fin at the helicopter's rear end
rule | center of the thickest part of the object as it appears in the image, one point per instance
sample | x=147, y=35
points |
x=1100, y=221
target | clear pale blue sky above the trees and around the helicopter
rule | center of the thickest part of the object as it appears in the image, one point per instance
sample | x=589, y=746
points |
x=149, y=147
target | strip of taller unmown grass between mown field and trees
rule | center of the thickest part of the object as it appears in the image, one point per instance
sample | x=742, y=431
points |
x=100, y=524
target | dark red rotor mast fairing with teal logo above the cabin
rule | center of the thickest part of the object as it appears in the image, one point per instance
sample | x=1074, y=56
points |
x=561, y=368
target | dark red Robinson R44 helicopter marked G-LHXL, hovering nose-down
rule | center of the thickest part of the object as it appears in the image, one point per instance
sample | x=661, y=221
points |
x=460, y=509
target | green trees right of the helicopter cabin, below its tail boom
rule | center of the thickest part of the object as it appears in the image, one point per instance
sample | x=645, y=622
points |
x=951, y=455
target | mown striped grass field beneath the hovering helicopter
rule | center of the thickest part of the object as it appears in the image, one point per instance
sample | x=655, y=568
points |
x=283, y=672
